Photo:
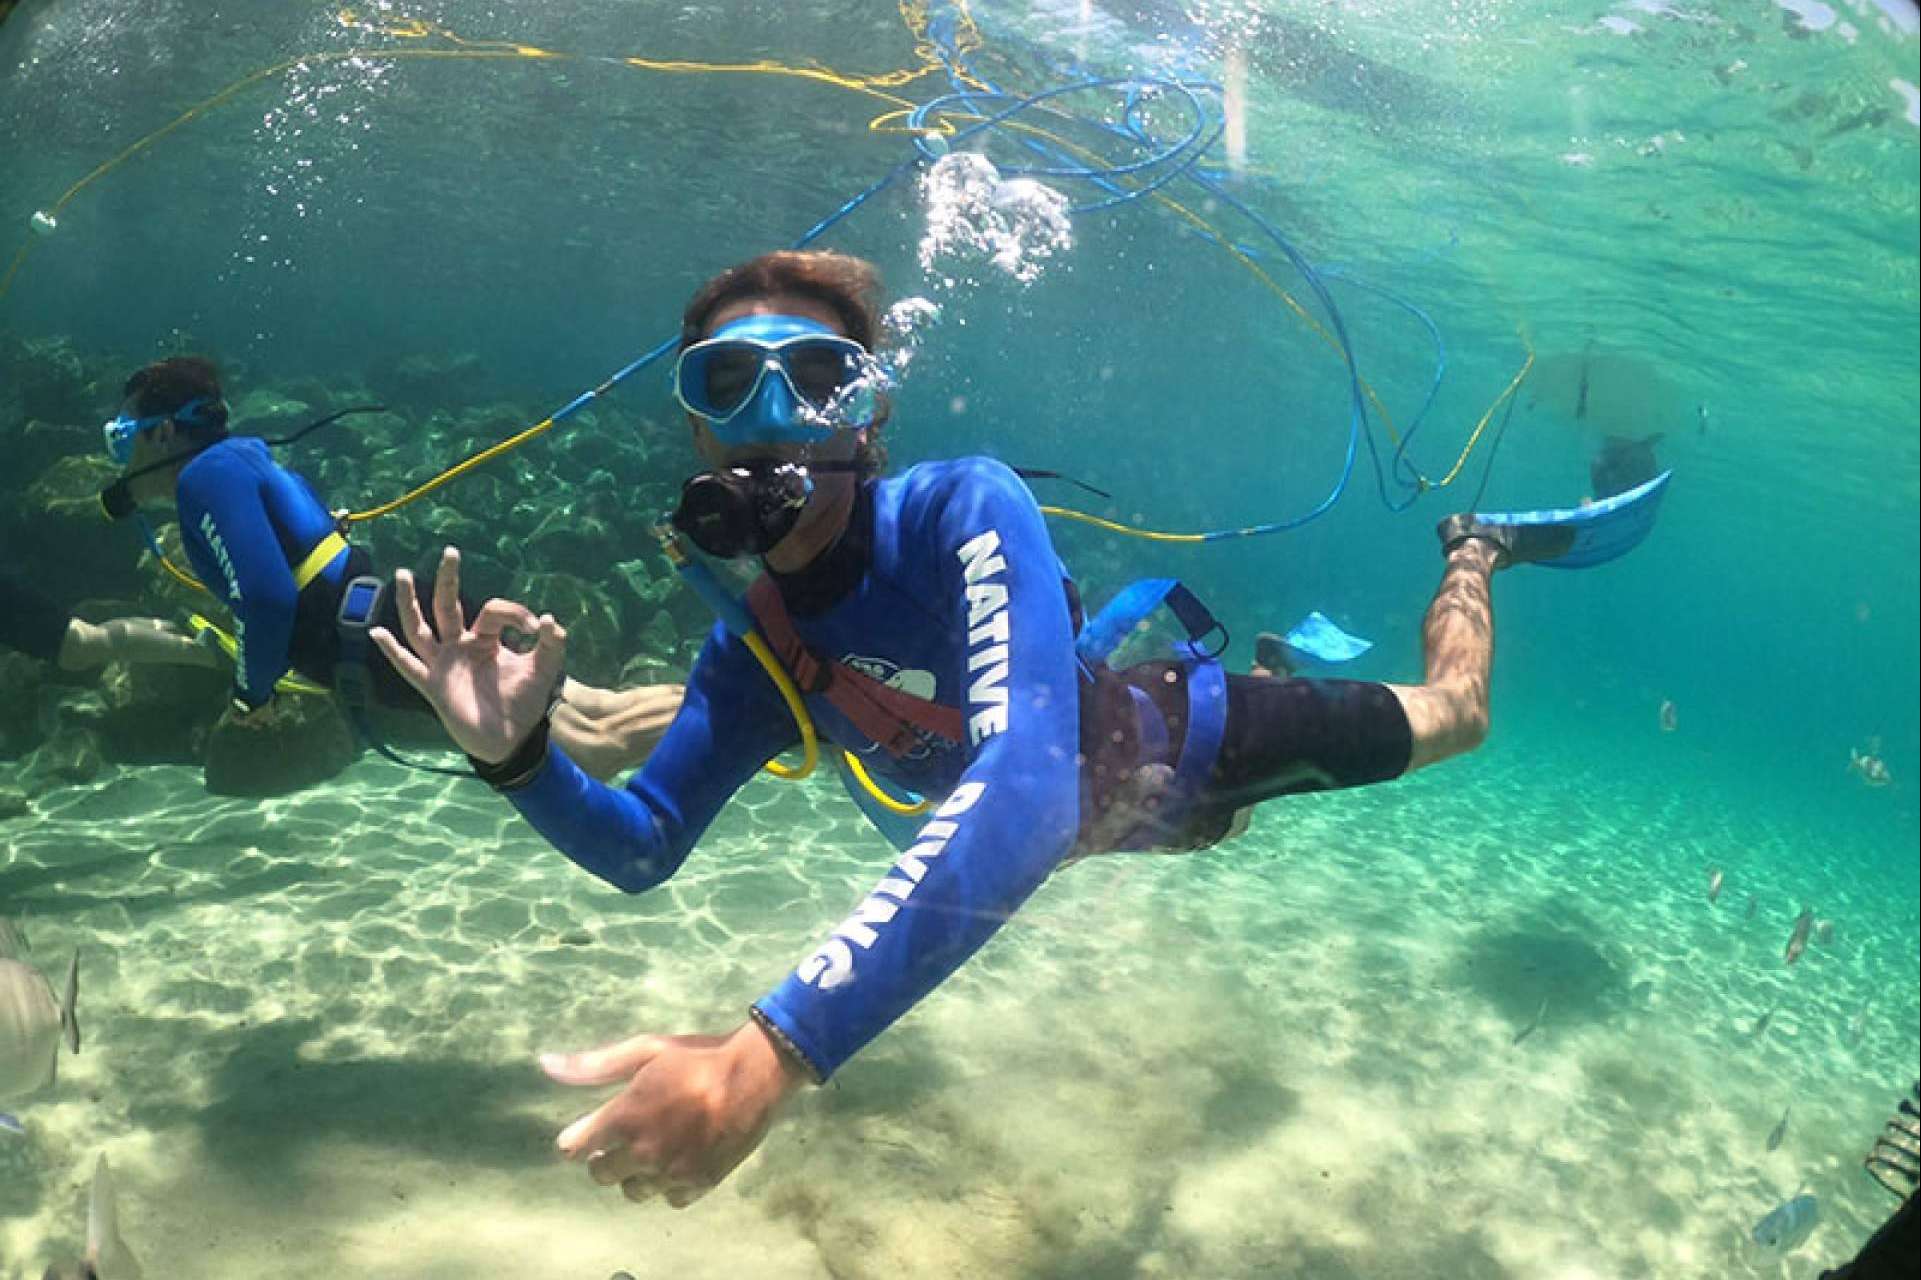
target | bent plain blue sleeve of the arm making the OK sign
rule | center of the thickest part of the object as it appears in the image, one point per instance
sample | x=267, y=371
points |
x=637, y=837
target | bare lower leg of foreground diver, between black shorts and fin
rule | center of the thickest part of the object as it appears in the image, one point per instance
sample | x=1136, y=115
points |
x=1449, y=714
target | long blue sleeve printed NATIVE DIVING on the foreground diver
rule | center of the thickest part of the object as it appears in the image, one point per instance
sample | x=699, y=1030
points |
x=1009, y=820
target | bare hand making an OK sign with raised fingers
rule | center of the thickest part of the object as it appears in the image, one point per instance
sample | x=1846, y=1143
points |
x=487, y=695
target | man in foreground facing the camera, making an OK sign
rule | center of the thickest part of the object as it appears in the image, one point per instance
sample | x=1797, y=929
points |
x=933, y=633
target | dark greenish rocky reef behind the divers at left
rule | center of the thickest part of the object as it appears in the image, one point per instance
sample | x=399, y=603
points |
x=562, y=524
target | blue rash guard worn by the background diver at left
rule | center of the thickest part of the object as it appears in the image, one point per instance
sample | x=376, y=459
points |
x=247, y=522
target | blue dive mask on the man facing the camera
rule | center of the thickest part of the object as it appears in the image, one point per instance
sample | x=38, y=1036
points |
x=777, y=380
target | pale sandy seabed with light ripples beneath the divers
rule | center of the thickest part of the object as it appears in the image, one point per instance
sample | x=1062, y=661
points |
x=312, y=1029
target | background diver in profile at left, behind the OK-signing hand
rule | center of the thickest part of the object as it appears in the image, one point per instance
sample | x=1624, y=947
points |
x=276, y=556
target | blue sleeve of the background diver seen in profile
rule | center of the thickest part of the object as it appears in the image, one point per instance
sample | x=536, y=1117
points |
x=239, y=556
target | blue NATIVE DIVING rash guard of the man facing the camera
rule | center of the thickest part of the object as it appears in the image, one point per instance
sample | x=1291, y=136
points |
x=961, y=599
